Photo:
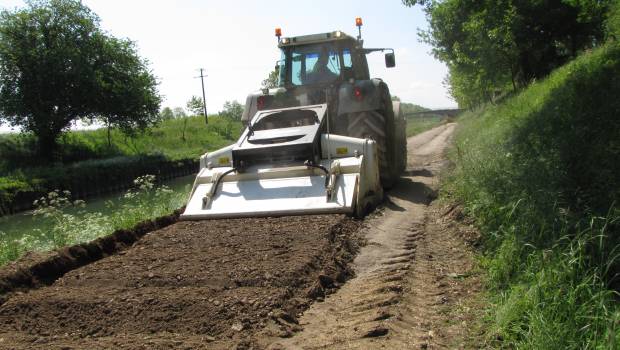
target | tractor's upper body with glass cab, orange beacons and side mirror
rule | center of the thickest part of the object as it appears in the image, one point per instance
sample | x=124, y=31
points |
x=328, y=68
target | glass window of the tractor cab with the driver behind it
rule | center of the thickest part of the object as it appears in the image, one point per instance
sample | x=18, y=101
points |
x=314, y=64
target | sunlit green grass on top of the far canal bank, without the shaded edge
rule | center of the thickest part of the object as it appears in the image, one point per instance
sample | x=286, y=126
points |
x=89, y=145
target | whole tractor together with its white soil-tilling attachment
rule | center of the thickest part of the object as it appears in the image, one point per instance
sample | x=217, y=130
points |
x=327, y=139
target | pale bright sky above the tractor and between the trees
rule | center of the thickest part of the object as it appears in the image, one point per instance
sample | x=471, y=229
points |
x=234, y=42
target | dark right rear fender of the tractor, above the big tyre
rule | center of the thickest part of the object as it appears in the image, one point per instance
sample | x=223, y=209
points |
x=361, y=95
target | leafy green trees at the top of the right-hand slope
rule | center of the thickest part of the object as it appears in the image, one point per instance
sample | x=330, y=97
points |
x=496, y=47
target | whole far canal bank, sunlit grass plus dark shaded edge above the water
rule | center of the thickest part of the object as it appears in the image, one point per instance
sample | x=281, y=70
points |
x=88, y=165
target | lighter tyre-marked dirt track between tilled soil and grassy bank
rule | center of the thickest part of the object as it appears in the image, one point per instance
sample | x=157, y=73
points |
x=413, y=284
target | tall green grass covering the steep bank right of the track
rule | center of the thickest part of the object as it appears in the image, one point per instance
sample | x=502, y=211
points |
x=540, y=174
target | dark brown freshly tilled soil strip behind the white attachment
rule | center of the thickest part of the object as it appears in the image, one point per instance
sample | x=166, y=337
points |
x=206, y=284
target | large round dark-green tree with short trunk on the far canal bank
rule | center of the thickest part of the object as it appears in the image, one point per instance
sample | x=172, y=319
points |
x=57, y=66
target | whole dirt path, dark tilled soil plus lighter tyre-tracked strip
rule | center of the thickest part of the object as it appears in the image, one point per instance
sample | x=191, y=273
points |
x=251, y=283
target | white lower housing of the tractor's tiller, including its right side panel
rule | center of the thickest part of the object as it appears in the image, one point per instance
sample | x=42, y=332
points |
x=266, y=190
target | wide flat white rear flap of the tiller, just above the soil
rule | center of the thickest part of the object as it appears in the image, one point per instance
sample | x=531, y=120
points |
x=288, y=191
